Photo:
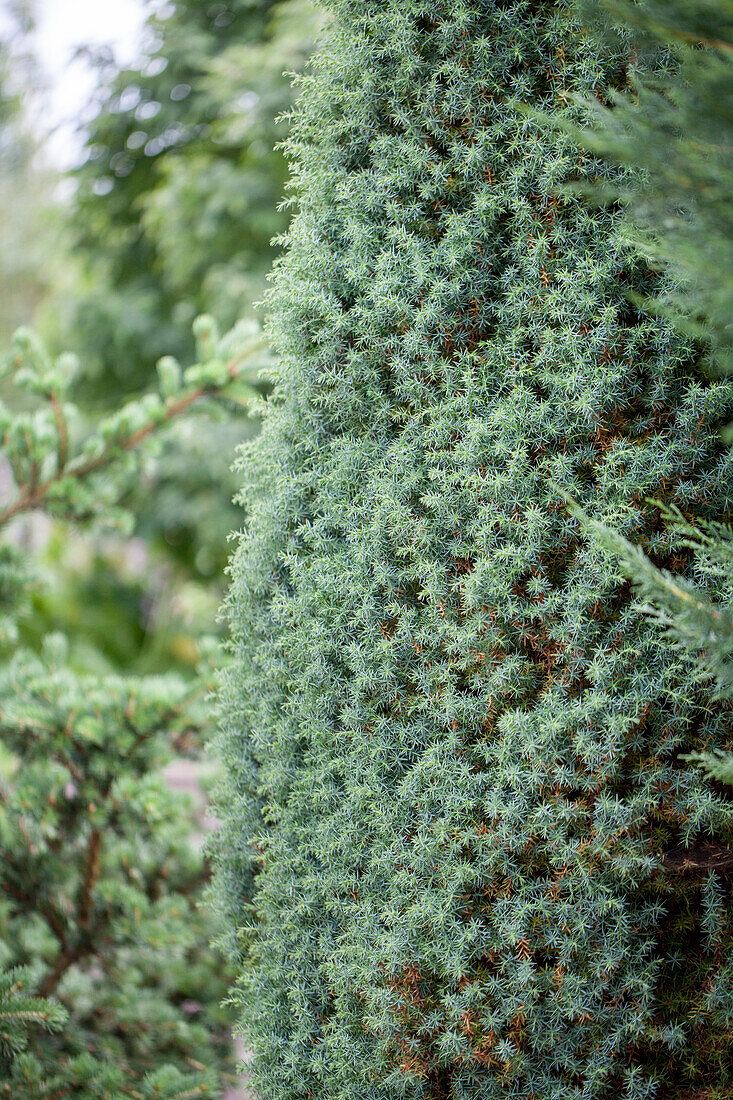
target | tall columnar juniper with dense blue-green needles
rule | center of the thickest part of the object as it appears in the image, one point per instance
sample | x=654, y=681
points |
x=464, y=852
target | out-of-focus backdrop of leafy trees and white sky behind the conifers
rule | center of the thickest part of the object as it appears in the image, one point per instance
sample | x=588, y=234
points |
x=141, y=188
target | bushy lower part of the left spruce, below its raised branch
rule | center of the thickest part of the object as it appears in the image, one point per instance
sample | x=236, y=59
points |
x=102, y=888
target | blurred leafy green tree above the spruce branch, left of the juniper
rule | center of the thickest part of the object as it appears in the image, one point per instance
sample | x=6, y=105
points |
x=179, y=196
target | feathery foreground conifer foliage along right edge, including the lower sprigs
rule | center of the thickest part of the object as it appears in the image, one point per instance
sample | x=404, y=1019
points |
x=677, y=127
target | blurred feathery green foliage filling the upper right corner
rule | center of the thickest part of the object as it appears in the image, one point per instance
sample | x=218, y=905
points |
x=676, y=125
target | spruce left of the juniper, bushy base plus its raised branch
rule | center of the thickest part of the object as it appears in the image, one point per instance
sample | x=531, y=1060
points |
x=110, y=987
